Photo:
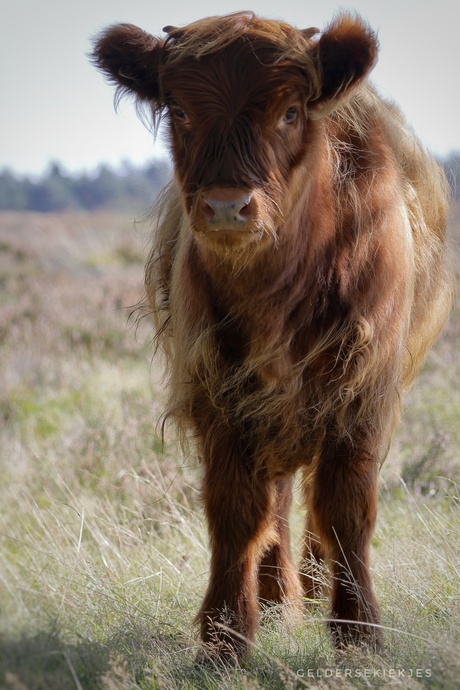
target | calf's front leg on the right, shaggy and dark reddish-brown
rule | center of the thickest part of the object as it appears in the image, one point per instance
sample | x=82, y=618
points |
x=344, y=504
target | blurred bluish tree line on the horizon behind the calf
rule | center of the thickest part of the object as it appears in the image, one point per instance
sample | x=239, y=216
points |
x=128, y=187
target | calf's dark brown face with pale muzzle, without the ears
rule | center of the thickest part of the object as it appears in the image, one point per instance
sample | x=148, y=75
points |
x=237, y=127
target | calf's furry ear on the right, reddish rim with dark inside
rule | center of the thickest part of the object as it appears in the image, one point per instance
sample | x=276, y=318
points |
x=344, y=56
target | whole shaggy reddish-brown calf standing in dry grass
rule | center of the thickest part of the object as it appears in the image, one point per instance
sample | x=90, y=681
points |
x=297, y=281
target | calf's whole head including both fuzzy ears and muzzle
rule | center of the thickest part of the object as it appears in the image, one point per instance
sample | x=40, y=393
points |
x=243, y=99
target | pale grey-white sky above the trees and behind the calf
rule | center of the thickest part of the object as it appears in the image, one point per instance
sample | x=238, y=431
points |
x=56, y=107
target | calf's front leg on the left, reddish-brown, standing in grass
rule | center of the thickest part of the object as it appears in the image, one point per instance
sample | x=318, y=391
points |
x=239, y=510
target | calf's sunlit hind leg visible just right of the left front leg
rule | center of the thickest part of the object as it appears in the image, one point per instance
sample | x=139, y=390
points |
x=278, y=579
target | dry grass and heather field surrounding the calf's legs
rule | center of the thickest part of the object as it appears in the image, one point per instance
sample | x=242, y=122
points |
x=103, y=546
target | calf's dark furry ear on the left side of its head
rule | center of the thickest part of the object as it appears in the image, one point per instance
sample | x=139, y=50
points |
x=129, y=58
